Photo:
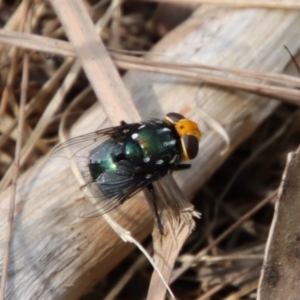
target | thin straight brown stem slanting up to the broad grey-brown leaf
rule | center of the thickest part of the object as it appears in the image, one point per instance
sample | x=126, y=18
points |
x=237, y=224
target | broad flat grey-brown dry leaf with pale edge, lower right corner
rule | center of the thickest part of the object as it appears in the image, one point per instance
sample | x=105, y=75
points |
x=280, y=273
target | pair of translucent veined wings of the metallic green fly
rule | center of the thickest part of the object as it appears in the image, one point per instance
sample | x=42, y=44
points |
x=111, y=188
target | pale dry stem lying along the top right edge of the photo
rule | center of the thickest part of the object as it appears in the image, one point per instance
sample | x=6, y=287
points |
x=283, y=4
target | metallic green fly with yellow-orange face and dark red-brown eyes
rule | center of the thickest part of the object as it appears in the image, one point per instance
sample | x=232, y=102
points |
x=118, y=162
